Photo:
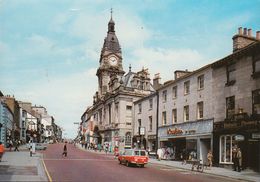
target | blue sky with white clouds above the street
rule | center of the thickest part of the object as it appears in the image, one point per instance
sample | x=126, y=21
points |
x=49, y=50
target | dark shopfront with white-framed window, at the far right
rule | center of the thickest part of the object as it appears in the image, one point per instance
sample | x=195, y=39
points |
x=242, y=134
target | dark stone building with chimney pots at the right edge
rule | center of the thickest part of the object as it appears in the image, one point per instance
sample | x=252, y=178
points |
x=236, y=98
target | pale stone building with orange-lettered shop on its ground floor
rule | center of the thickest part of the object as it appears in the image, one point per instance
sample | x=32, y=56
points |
x=185, y=121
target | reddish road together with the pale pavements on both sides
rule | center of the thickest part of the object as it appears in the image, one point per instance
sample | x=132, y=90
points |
x=88, y=165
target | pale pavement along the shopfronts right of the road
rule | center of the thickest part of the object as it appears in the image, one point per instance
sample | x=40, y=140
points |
x=245, y=175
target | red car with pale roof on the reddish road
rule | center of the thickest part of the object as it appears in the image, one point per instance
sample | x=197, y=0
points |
x=133, y=156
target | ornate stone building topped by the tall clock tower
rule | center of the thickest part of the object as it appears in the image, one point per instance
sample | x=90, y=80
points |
x=112, y=111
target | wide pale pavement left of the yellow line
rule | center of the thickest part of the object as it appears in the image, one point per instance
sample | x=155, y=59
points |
x=19, y=166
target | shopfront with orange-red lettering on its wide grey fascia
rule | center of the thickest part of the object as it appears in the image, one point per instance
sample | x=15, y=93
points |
x=190, y=140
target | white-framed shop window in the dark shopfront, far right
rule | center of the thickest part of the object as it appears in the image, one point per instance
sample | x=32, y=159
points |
x=227, y=143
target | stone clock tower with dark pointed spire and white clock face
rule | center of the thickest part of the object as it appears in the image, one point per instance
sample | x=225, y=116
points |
x=110, y=62
